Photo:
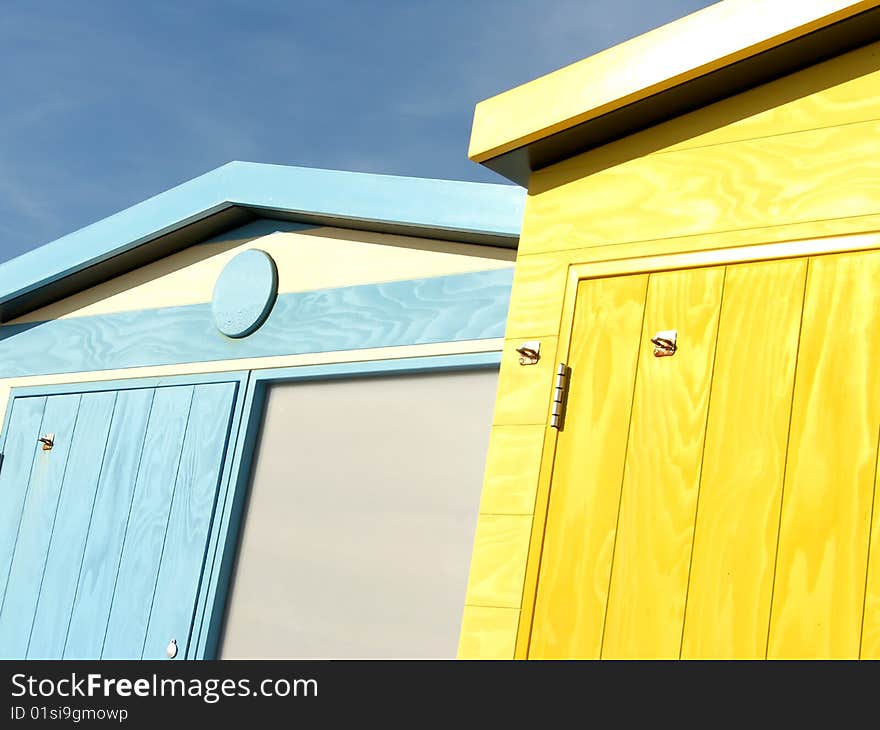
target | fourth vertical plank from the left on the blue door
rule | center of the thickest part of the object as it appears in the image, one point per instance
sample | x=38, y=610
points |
x=96, y=575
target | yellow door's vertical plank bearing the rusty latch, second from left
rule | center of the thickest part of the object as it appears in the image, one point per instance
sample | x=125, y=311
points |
x=661, y=479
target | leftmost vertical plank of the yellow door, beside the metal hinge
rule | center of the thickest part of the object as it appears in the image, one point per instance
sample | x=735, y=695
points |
x=588, y=470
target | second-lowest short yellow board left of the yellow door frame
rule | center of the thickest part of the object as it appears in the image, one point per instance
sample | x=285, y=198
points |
x=498, y=561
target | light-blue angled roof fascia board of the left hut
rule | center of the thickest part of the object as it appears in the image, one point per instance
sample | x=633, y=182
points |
x=345, y=198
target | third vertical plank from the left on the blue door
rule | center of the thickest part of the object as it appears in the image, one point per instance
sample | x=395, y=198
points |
x=71, y=526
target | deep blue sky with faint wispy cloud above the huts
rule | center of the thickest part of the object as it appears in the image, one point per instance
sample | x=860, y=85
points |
x=106, y=103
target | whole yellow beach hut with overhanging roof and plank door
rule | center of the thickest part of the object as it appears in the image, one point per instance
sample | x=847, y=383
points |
x=690, y=469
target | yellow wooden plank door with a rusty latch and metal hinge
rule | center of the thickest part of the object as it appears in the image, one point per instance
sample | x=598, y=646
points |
x=718, y=502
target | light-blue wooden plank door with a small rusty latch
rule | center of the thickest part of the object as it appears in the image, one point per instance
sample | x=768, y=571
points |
x=103, y=537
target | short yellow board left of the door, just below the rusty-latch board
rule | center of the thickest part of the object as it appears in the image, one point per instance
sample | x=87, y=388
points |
x=512, y=466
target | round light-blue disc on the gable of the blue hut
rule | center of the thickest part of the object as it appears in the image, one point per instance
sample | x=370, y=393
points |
x=244, y=293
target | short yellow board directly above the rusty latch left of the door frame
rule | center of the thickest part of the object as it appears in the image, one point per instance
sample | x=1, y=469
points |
x=536, y=297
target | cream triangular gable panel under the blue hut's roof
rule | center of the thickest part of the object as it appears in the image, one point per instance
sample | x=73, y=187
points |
x=359, y=257
